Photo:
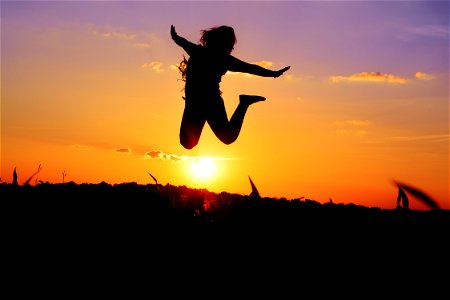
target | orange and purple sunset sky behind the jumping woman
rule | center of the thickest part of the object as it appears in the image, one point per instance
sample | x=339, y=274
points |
x=91, y=90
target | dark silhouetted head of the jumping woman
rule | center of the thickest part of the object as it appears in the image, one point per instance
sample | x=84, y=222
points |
x=219, y=38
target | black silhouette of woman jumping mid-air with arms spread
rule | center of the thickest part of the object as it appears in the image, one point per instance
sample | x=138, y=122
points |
x=202, y=73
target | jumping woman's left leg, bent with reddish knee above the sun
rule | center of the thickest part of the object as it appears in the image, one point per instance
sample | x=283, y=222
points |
x=191, y=126
